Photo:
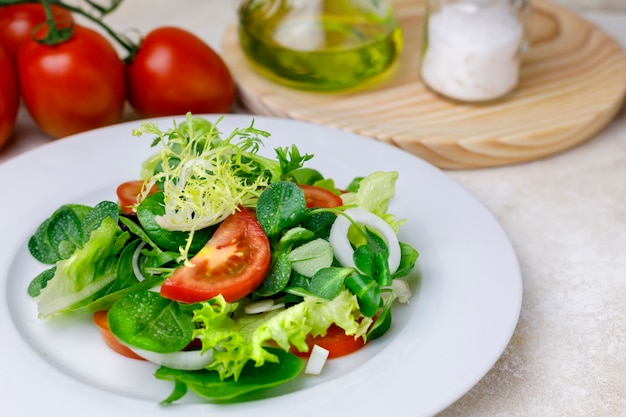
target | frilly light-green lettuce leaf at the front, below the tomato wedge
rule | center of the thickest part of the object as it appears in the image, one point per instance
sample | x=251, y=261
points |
x=237, y=338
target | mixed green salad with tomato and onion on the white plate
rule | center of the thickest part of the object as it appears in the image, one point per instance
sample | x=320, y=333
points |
x=231, y=271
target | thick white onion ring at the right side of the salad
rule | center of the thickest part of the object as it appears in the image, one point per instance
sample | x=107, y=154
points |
x=341, y=245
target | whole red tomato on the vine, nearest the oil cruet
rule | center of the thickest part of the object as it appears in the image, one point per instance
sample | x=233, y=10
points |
x=175, y=72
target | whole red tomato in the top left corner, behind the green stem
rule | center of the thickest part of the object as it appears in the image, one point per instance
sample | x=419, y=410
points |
x=18, y=21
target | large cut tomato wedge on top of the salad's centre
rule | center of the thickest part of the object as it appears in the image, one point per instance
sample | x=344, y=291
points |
x=232, y=263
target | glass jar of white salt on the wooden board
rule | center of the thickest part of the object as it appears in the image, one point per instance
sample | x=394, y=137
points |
x=472, y=48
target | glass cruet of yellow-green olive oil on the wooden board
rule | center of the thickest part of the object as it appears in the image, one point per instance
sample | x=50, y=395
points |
x=319, y=45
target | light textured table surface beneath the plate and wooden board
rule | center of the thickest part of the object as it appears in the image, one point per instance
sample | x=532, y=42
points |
x=566, y=218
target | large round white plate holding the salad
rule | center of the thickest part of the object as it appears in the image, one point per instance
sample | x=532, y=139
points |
x=467, y=300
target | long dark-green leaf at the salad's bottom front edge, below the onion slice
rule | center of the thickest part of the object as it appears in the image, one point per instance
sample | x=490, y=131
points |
x=208, y=384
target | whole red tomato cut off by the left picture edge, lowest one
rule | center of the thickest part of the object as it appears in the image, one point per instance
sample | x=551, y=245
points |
x=9, y=97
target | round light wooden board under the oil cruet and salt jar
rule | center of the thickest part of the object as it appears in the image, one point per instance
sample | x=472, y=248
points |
x=572, y=83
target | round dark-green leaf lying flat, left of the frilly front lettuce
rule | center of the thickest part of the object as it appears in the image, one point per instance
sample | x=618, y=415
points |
x=148, y=321
